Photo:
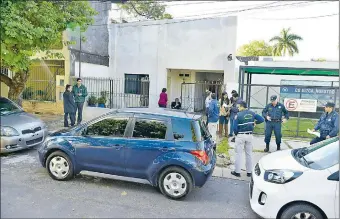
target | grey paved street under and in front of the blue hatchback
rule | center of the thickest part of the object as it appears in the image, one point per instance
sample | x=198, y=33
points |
x=28, y=191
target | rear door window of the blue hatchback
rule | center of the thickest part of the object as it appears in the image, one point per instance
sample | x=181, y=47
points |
x=145, y=128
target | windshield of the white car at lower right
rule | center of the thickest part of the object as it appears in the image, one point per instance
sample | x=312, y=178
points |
x=321, y=155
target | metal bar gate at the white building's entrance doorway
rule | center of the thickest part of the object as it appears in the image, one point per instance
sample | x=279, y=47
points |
x=193, y=95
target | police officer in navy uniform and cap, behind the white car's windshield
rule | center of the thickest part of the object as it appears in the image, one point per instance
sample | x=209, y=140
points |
x=328, y=125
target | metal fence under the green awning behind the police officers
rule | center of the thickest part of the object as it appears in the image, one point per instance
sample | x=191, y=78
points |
x=257, y=97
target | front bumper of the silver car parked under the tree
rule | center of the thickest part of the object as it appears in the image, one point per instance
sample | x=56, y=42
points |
x=23, y=141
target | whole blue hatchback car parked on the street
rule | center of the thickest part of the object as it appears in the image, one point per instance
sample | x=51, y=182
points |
x=171, y=149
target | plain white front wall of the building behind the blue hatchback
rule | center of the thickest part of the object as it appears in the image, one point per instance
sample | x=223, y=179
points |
x=152, y=47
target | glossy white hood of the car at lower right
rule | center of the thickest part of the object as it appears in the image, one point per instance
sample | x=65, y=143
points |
x=281, y=160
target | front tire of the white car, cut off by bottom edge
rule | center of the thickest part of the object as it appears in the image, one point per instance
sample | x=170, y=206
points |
x=296, y=209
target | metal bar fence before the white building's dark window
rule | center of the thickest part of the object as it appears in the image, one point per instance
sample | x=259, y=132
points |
x=119, y=93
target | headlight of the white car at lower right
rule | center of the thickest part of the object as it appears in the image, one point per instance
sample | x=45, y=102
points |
x=281, y=176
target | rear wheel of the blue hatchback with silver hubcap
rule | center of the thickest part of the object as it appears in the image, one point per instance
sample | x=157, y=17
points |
x=179, y=183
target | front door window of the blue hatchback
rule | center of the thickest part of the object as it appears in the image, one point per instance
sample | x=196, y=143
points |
x=114, y=127
